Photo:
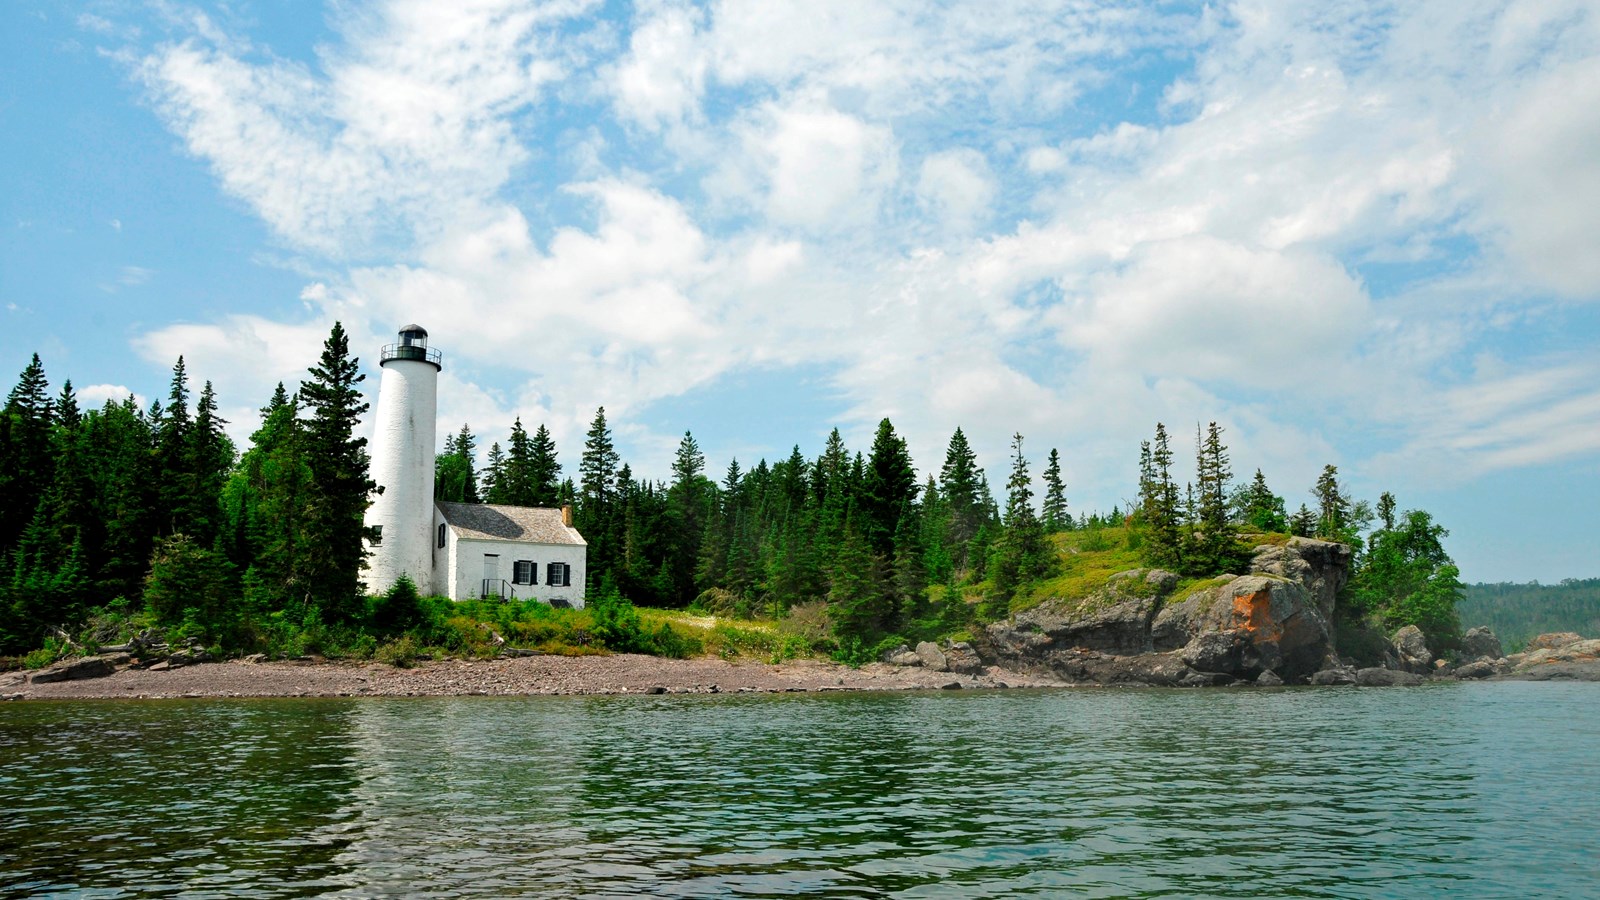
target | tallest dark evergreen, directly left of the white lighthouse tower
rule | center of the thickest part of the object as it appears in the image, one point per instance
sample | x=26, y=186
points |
x=340, y=486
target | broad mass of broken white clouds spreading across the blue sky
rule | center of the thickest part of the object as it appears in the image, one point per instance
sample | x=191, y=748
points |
x=727, y=190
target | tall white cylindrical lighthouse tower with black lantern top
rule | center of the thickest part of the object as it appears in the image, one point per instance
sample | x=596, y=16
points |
x=404, y=464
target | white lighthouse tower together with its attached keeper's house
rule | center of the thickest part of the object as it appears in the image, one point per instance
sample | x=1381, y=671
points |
x=455, y=550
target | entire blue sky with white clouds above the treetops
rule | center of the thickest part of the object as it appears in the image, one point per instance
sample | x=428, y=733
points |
x=1354, y=235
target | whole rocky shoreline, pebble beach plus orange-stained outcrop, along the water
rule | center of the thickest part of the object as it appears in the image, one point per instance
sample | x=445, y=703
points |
x=1268, y=629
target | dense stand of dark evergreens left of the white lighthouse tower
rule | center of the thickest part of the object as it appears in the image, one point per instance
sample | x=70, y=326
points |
x=130, y=507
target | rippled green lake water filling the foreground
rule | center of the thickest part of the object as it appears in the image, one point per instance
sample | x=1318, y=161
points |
x=1481, y=790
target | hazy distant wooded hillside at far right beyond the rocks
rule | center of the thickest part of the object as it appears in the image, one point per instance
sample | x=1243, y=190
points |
x=1519, y=613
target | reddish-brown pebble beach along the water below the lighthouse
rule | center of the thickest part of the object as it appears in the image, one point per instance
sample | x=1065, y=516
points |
x=623, y=673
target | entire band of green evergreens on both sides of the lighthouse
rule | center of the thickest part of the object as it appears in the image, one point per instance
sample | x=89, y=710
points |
x=154, y=508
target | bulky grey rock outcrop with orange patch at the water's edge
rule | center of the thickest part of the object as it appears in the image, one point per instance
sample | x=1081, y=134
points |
x=1270, y=625
